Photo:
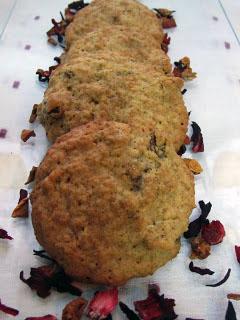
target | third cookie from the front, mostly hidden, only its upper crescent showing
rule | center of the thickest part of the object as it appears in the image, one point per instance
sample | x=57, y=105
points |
x=121, y=43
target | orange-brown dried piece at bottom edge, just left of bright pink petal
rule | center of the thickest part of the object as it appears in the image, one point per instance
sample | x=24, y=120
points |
x=74, y=309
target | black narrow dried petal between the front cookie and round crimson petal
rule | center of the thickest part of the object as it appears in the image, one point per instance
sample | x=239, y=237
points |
x=195, y=226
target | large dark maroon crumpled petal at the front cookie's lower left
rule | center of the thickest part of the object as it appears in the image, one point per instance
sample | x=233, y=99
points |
x=42, y=279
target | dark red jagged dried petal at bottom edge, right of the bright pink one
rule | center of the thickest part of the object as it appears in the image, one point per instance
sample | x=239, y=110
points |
x=155, y=306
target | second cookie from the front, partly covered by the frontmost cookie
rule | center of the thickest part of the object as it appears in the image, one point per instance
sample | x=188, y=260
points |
x=99, y=89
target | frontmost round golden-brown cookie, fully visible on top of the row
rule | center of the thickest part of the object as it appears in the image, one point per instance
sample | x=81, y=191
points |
x=109, y=205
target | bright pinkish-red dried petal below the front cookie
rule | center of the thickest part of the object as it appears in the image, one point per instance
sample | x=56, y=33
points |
x=103, y=303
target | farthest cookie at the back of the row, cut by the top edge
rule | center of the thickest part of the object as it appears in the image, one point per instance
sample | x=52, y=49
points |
x=100, y=13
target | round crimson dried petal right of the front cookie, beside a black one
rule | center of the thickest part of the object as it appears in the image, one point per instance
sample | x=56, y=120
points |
x=213, y=233
